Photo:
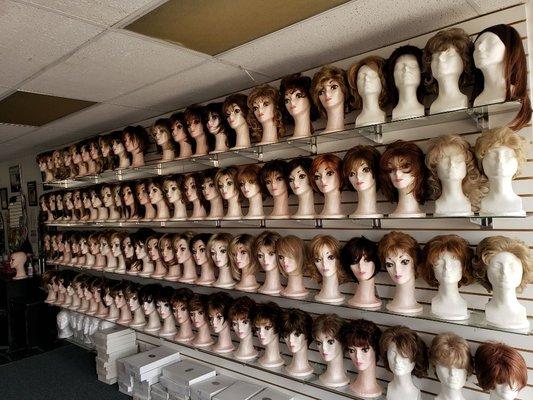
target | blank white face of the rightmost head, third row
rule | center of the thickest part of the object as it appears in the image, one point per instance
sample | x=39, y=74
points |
x=505, y=271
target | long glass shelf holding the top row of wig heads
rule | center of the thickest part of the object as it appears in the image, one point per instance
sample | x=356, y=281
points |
x=379, y=134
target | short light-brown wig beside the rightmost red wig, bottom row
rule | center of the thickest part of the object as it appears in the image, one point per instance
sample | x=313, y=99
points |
x=451, y=351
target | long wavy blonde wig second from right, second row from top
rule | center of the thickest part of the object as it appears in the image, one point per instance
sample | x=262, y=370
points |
x=474, y=183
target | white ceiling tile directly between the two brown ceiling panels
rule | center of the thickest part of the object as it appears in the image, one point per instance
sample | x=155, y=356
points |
x=114, y=64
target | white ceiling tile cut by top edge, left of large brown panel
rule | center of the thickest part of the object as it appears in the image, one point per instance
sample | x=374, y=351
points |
x=104, y=12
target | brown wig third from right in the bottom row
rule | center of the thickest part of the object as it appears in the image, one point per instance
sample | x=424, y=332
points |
x=409, y=345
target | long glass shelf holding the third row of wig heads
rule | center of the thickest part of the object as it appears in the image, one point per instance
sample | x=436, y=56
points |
x=380, y=315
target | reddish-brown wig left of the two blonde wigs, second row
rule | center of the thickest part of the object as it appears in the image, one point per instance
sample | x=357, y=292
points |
x=408, y=157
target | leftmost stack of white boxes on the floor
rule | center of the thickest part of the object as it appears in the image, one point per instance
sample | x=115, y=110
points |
x=112, y=344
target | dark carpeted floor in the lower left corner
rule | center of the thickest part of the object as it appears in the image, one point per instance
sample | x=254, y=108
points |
x=68, y=372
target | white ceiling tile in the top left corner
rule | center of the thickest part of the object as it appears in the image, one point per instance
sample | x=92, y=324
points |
x=33, y=38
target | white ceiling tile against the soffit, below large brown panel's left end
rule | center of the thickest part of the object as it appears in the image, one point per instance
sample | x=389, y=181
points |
x=202, y=83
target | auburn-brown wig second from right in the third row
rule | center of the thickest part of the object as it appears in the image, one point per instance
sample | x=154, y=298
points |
x=456, y=246
